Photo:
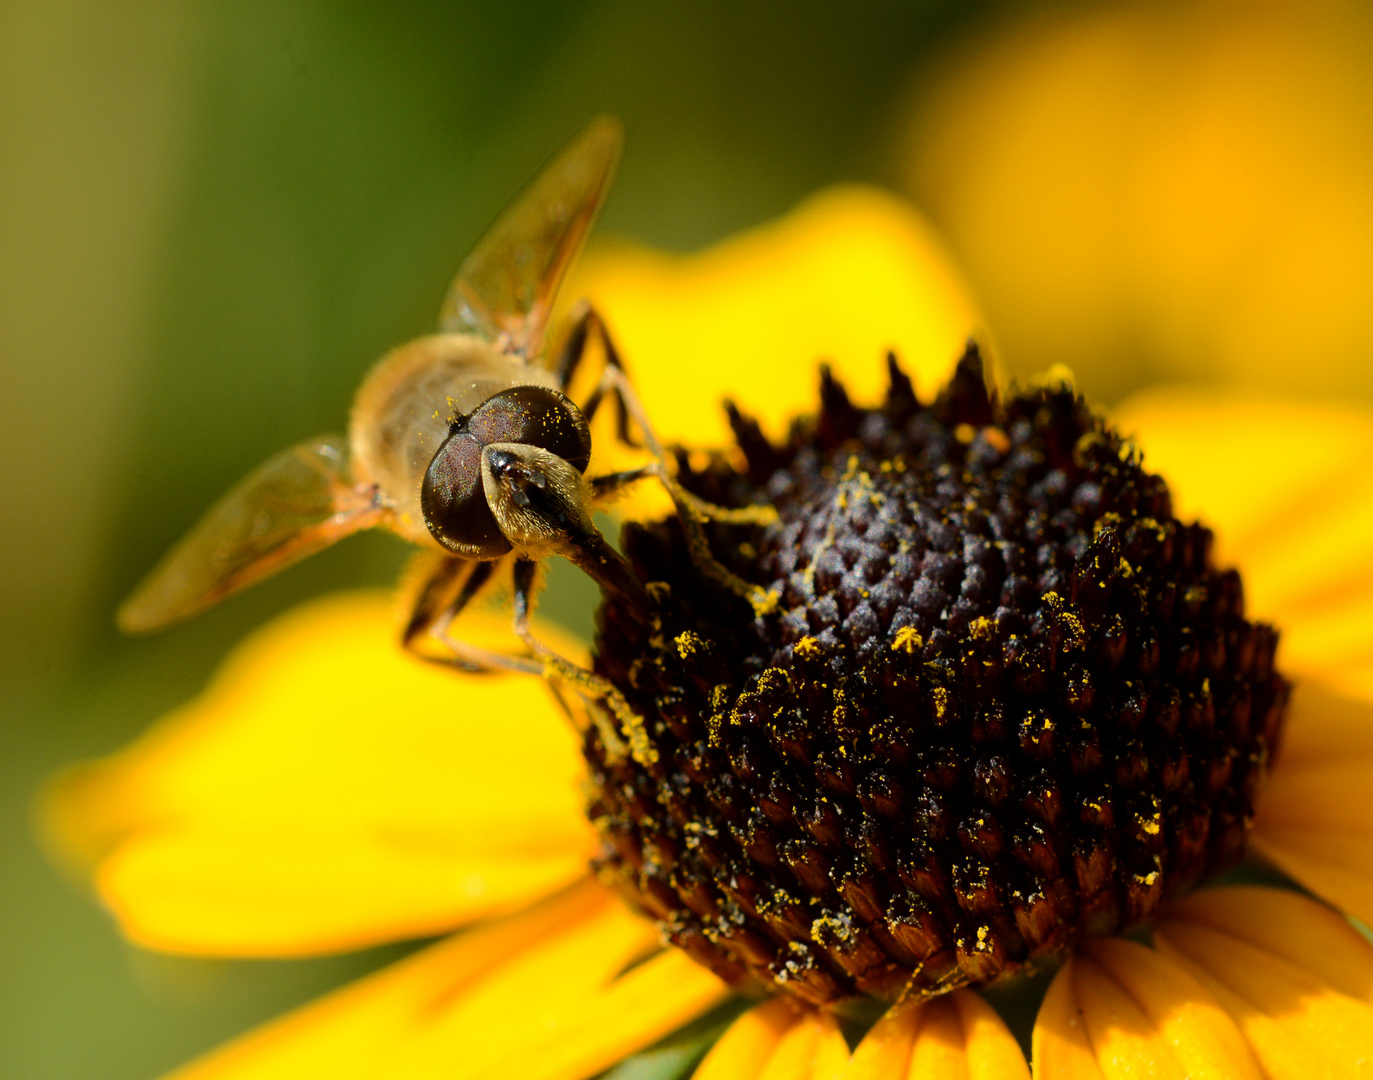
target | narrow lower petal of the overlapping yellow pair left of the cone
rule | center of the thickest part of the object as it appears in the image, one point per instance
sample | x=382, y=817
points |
x=290, y=893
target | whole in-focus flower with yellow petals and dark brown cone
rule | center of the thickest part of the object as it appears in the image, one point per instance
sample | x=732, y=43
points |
x=1010, y=702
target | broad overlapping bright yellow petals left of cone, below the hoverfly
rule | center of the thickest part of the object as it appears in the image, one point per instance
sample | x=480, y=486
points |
x=327, y=793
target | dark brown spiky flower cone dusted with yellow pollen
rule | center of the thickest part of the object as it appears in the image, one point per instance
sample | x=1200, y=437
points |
x=1006, y=699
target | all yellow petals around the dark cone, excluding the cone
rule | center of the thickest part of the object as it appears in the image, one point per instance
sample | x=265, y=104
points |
x=330, y=793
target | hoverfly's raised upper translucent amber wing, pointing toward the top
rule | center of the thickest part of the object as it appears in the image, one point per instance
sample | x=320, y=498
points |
x=505, y=292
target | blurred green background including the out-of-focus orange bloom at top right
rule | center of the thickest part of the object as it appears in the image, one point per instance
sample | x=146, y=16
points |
x=215, y=218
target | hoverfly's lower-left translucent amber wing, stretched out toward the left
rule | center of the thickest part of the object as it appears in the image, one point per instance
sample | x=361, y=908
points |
x=296, y=504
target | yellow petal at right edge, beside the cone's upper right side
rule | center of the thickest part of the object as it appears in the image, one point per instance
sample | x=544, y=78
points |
x=1289, y=489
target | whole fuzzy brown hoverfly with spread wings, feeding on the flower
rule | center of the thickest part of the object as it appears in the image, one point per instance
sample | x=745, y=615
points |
x=463, y=443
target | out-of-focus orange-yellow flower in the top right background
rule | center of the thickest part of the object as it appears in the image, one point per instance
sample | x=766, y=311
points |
x=1149, y=191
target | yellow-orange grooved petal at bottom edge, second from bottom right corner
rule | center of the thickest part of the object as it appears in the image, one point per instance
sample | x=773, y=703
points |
x=1140, y=1015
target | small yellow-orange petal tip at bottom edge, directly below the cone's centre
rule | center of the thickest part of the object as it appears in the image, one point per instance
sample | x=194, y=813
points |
x=954, y=1038
